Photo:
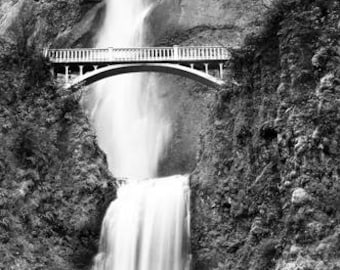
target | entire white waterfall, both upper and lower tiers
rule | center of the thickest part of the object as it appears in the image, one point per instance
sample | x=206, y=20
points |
x=147, y=226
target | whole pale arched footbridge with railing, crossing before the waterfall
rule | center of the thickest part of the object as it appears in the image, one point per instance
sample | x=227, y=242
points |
x=86, y=66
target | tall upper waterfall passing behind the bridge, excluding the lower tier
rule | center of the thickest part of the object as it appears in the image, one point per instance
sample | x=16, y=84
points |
x=128, y=114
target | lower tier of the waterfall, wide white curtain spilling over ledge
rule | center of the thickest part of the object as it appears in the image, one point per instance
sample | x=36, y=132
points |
x=147, y=227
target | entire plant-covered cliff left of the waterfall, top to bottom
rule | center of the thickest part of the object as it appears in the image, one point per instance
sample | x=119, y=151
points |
x=54, y=181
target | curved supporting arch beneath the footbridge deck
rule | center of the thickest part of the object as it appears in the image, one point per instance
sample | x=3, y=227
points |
x=176, y=69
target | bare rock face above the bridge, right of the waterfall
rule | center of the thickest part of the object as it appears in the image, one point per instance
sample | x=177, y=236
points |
x=206, y=22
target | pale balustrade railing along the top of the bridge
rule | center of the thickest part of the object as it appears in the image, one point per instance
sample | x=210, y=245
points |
x=147, y=54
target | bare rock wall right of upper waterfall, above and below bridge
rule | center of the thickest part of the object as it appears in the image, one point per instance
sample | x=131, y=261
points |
x=196, y=23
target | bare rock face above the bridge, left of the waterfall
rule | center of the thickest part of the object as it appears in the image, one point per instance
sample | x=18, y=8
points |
x=50, y=23
